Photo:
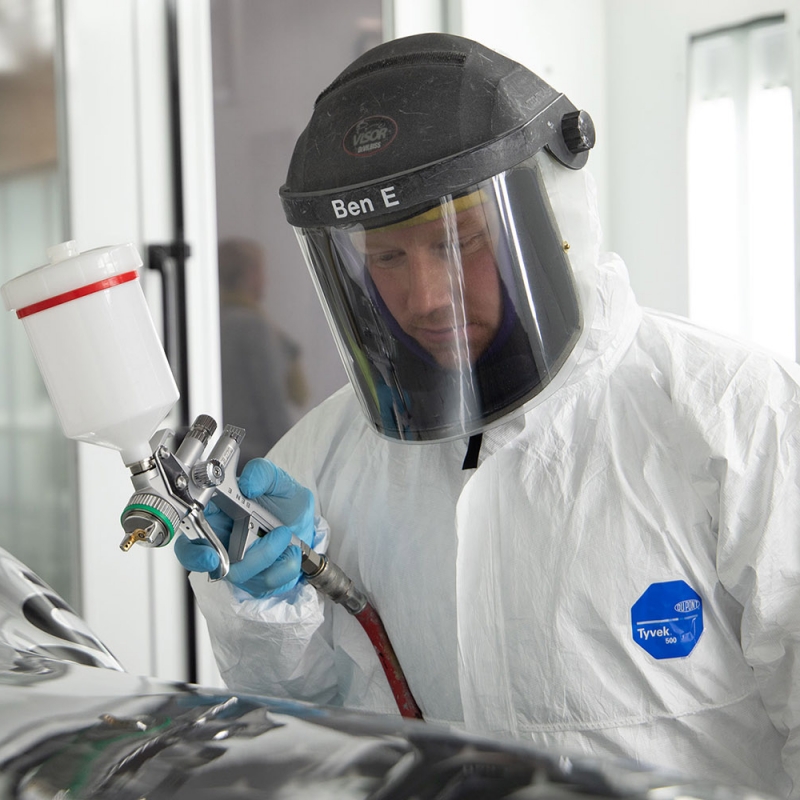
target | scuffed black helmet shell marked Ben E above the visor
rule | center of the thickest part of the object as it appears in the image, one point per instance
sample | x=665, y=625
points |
x=418, y=118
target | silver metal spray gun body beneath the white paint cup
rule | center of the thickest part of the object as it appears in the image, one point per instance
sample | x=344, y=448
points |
x=174, y=485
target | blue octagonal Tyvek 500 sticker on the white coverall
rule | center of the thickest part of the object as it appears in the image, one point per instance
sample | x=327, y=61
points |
x=667, y=620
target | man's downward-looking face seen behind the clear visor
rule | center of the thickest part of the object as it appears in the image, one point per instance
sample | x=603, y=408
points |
x=439, y=281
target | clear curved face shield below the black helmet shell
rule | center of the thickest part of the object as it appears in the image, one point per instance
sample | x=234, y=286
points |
x=450, y=319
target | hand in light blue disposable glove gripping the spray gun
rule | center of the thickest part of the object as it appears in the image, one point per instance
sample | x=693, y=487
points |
x=271, y=565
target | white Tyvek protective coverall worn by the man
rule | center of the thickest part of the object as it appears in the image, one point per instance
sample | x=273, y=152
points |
x=670, y=454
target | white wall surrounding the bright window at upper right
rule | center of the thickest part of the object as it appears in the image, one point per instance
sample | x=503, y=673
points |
x=647, y=47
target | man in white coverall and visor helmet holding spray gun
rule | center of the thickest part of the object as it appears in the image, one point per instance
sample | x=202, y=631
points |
x=576, y=519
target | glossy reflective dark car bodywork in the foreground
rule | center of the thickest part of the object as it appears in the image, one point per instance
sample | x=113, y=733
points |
x=73, y=724
